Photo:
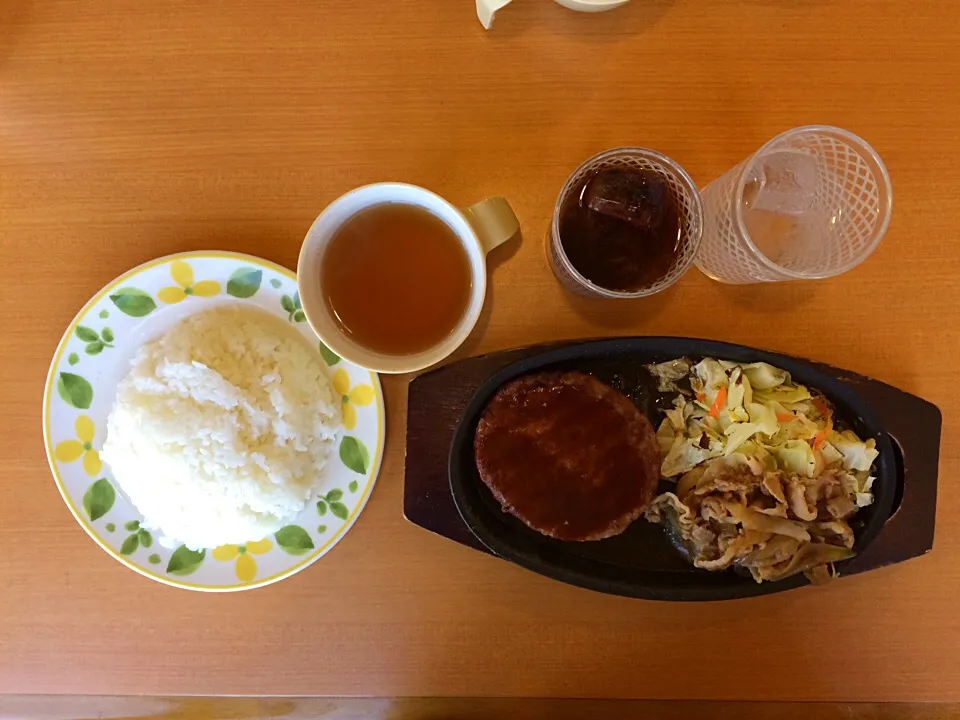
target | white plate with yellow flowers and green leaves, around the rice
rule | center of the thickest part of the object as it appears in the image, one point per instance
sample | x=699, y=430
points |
x=95, y=353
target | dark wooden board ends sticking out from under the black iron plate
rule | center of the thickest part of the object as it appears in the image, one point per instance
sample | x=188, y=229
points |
x=437, y=399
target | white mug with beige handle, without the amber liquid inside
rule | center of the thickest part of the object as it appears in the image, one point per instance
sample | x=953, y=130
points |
x=480, y=228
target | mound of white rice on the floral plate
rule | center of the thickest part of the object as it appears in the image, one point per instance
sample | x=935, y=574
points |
x=220, y=431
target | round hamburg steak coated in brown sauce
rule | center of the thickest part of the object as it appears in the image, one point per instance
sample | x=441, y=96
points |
x=568, y=455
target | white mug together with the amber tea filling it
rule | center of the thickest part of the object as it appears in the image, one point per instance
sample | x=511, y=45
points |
x=392, y=277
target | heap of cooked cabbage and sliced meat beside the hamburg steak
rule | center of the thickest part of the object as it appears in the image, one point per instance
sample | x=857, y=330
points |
x=765, y=481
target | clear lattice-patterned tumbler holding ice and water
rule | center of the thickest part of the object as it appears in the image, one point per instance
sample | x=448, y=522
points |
x=813, y=202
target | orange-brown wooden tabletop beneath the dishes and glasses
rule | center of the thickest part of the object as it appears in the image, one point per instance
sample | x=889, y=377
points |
x=130, y=130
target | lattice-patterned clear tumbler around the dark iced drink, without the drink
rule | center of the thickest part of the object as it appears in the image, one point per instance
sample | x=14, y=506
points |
x=687, y=201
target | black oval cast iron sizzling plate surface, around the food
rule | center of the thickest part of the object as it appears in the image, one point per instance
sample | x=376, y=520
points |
x=642, y=562
